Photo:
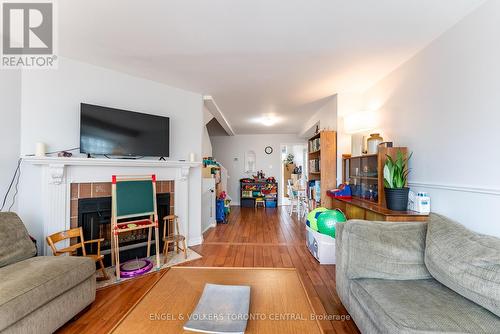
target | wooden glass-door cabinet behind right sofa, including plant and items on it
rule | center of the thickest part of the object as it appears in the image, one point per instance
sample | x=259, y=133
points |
x=374, y=185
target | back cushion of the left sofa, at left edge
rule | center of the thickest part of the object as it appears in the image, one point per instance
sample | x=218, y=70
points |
x=15, y=243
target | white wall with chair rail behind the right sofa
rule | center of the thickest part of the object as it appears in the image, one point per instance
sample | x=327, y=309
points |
x=444, y=105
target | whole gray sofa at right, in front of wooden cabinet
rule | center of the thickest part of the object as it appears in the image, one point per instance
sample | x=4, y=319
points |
x=435, y=277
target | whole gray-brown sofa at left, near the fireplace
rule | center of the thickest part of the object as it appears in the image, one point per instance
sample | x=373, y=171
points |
x=39, y=294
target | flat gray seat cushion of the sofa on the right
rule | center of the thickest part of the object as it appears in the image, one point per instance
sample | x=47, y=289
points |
x=420, y=306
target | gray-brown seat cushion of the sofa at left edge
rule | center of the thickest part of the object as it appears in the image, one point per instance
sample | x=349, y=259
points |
x=30, y=284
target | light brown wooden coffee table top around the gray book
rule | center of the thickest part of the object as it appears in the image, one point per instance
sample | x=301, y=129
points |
x=279, y=301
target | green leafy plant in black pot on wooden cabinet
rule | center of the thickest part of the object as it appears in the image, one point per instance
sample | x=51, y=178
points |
x=395, y=176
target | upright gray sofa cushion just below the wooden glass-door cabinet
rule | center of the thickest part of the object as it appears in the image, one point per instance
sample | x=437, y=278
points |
x=386, y=250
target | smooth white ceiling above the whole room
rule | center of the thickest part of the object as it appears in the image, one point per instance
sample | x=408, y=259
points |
x=256, y=57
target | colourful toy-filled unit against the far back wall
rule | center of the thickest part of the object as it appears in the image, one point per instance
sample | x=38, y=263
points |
x=259, y=191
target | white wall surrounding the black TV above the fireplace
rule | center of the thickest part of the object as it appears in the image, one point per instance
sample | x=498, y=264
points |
x=50, y=112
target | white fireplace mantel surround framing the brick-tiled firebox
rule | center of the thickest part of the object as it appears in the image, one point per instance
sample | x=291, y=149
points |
x=50, y=206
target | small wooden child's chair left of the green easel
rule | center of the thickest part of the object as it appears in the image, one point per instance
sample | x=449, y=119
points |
x=71, y=250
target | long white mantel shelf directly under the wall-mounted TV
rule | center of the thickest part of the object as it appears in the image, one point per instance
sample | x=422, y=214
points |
x=109, y=162
